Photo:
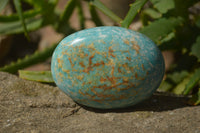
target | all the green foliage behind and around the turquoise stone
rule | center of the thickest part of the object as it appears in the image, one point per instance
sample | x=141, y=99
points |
x=169, y=23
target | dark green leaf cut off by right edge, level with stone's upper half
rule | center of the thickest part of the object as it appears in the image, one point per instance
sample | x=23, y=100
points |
x=195, y=50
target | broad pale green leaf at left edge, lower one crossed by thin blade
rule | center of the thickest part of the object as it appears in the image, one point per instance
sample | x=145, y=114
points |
x=16, y=27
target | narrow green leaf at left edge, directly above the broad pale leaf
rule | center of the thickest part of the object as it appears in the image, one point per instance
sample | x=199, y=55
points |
x=15, y=17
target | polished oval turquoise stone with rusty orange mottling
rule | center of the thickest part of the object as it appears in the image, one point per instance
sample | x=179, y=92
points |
x=107, y=67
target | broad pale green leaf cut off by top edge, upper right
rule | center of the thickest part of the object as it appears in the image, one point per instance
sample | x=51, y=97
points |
x=163, y=5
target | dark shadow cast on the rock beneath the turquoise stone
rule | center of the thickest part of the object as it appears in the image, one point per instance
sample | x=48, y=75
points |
x=158, y=102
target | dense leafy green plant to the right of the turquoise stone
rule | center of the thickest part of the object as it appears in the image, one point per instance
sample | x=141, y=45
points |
x=173, y=27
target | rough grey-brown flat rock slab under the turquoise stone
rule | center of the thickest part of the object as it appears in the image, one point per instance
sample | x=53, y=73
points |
x=27, y=106
